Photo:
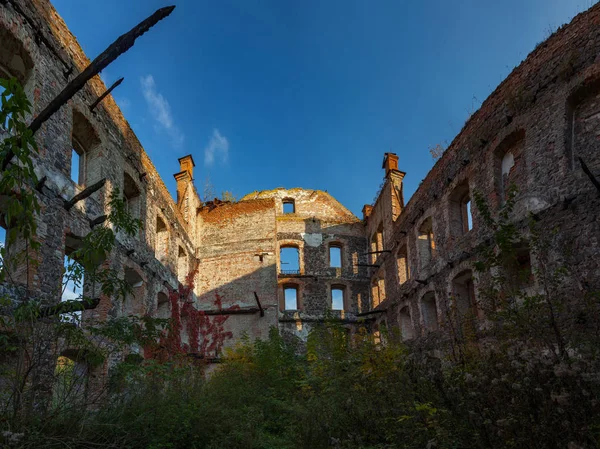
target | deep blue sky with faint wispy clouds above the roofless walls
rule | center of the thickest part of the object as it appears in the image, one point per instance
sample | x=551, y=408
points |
x=273, y=93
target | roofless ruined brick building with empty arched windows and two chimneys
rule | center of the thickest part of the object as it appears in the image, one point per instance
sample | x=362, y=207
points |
x=292, y=257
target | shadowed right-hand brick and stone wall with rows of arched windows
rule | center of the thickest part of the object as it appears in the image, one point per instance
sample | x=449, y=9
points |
x=530, y=132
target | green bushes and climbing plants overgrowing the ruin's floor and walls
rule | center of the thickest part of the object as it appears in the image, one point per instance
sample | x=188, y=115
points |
x=529, y=379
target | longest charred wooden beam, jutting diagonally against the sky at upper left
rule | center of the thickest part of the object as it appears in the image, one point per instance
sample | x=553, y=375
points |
x=116, y=49
